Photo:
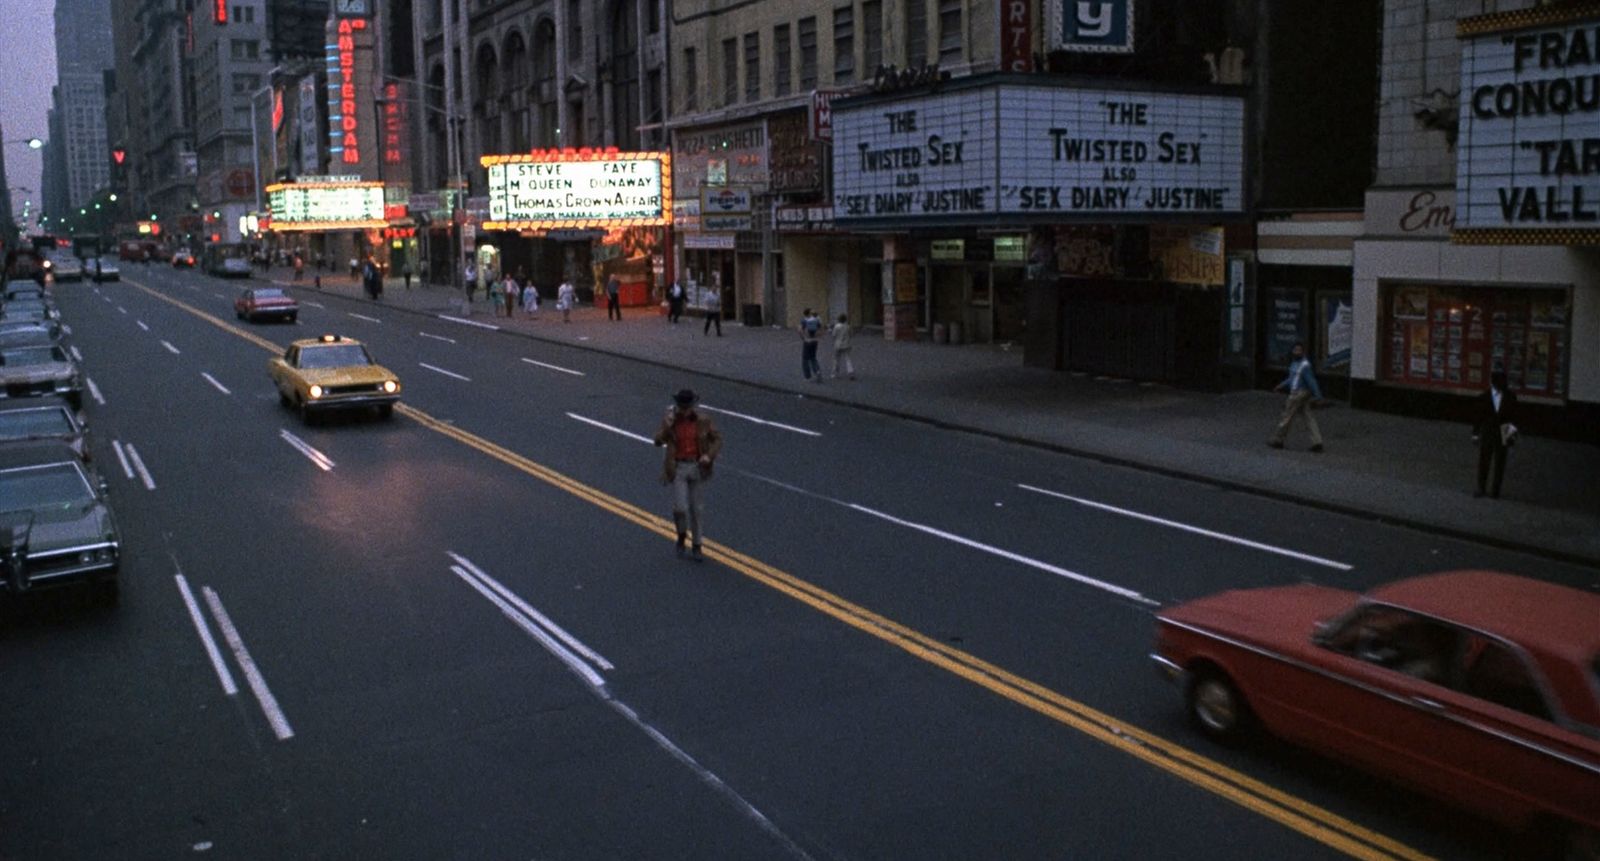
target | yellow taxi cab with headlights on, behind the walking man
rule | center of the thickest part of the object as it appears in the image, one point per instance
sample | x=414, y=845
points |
x=332, y=372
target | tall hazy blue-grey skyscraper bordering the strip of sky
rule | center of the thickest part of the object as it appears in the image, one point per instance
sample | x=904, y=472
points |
x=84, y=54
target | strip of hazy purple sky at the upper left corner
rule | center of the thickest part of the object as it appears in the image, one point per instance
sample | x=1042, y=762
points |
x=28, y=71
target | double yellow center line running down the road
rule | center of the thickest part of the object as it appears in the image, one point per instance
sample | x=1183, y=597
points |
x=1313, y=822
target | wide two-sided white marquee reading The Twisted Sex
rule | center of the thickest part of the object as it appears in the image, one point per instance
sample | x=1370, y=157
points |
x=1015, y=154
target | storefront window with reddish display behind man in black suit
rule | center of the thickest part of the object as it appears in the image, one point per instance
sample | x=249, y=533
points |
x=1455, y=337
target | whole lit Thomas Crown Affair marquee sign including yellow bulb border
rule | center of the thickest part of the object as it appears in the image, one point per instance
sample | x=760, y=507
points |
x=553, y=190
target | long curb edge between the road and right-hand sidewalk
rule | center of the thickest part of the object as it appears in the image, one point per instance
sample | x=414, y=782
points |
x=1111, y=460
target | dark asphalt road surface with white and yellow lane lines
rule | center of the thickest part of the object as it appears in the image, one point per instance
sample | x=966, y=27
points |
x=463, y=633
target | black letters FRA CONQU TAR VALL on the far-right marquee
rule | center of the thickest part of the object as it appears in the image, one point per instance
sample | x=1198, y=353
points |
x=1575, y=52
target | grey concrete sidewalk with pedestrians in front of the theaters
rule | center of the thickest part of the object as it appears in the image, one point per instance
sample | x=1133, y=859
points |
x=1380, y=467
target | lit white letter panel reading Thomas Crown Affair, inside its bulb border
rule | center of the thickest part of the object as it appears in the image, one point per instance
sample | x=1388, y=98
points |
x=556, y=191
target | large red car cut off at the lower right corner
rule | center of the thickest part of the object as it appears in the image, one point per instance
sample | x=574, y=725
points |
x=1478, y=687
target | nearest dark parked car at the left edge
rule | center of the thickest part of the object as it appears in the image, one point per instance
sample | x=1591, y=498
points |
x=57, y=527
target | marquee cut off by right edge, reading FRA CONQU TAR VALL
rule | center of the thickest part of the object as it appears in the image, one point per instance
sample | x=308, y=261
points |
x=1529, y=148
